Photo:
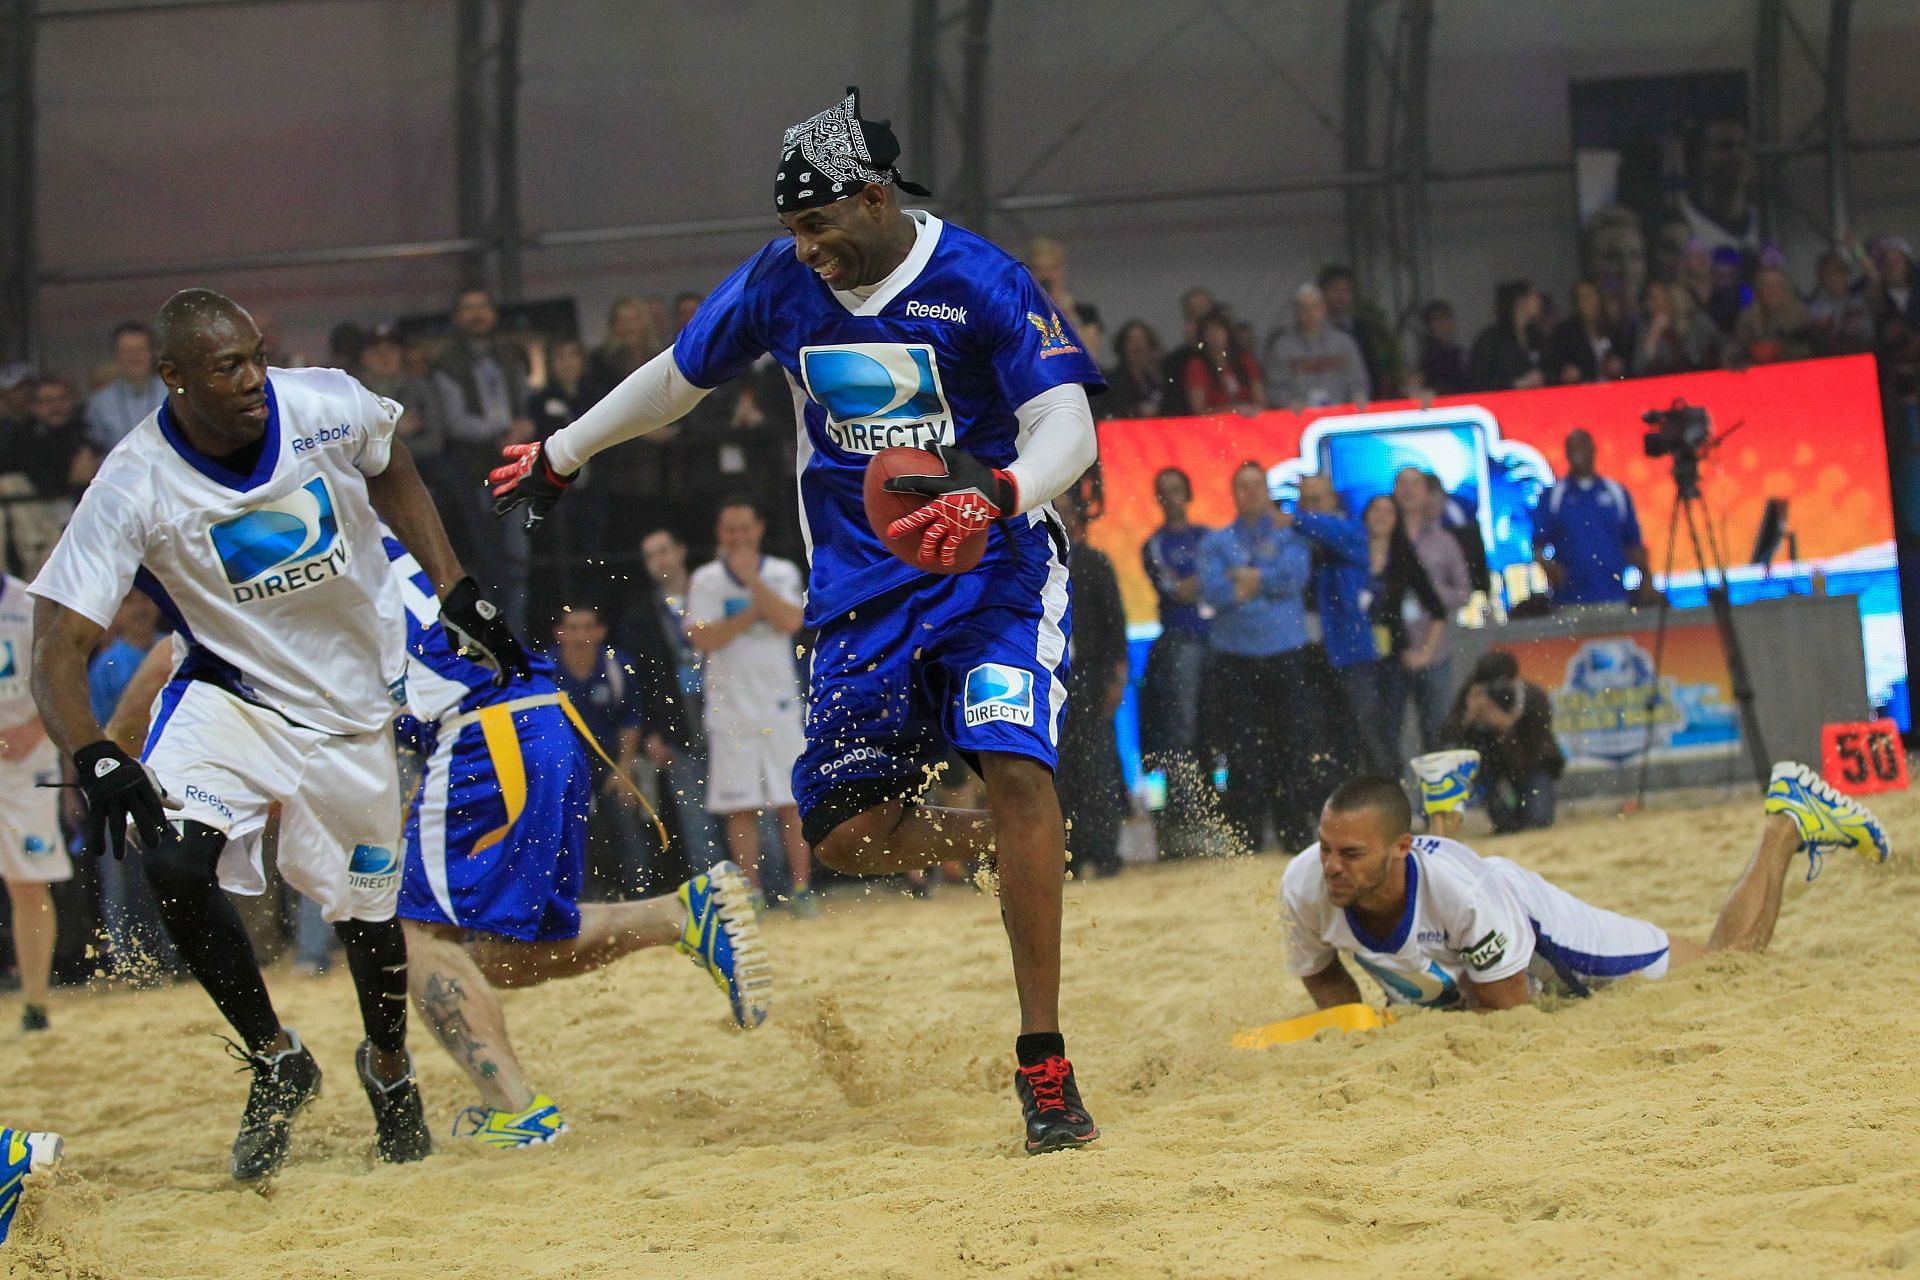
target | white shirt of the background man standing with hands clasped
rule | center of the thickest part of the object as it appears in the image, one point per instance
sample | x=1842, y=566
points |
x=752, y=680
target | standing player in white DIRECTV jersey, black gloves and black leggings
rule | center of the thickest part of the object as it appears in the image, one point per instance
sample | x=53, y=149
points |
x=247, y=508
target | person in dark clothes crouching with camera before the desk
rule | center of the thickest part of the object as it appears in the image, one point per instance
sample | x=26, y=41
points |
x=1510, y=723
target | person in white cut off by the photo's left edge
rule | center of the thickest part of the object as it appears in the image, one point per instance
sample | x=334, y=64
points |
x=32, y=853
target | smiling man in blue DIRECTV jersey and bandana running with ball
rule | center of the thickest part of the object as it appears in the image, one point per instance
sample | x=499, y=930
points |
x=898, y=329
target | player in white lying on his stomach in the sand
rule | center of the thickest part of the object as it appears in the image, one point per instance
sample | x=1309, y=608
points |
x=1441, y=926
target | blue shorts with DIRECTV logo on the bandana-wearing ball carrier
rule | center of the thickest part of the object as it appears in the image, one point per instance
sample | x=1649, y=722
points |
x=972, y=661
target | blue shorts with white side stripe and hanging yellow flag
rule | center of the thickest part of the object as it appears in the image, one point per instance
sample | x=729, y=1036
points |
x=498, y=830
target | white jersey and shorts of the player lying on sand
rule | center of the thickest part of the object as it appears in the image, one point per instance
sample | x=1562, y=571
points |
x=1468, y=918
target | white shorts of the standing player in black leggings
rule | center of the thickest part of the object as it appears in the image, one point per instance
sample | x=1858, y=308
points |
x=228, y=763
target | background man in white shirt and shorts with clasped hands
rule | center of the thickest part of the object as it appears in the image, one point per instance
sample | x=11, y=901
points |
x=742, y=613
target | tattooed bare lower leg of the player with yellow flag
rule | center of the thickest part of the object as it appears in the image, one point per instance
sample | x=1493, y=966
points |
x=464, y=1014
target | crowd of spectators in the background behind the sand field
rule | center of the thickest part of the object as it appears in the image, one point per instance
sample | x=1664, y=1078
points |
x=1295, y=642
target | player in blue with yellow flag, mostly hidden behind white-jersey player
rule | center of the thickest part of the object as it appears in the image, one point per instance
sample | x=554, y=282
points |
x=494, y=859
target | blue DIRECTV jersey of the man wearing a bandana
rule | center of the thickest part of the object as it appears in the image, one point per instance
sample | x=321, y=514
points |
x=949, y=346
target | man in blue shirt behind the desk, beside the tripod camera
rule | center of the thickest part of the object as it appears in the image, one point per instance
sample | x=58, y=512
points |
x=1595, y=536
